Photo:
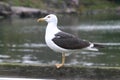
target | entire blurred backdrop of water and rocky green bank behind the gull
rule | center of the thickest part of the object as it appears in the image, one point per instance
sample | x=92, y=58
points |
x=22, y=38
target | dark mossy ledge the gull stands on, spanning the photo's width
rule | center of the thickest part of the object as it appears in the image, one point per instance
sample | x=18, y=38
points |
x=64, y=73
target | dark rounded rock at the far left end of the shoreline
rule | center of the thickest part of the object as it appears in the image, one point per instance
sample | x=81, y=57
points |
x=5, y=10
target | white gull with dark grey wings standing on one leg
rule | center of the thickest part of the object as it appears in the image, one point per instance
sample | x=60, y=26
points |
x=63, y=42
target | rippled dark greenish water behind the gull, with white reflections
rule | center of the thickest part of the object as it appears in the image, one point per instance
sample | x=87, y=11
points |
x=22, y=41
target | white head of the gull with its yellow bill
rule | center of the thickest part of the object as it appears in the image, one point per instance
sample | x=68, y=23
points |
x=49, y=18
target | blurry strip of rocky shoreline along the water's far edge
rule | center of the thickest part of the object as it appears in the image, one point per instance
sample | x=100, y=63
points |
x=30, y=12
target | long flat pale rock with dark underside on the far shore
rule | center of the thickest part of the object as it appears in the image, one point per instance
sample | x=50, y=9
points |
x=25, y=12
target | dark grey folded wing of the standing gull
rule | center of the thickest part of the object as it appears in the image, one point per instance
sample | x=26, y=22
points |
x=69, y=41
